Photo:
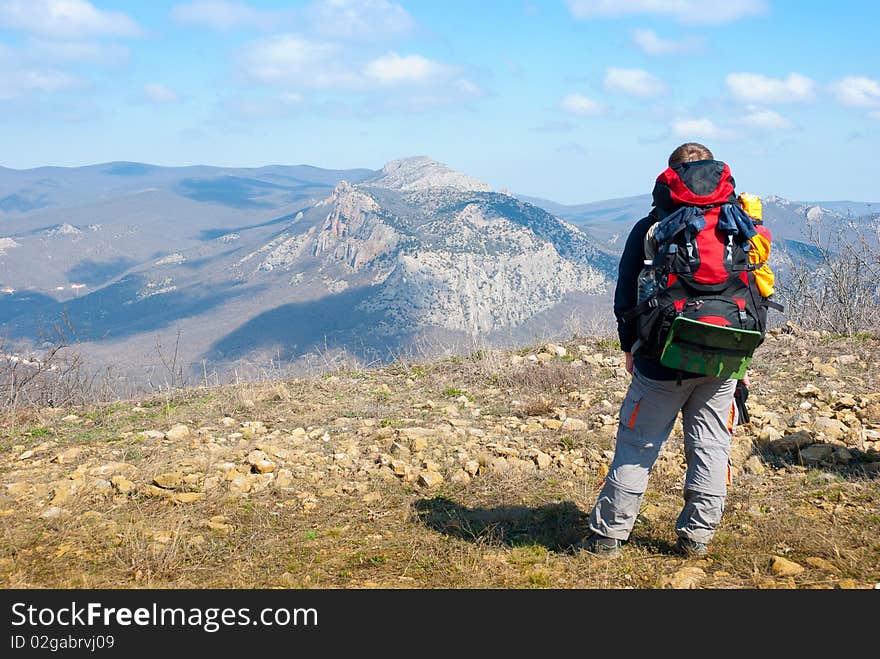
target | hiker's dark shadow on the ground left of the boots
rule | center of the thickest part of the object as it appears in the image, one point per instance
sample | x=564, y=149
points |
x=556, y=526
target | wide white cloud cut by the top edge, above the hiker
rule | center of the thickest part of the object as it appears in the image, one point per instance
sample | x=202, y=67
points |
x=710, y=12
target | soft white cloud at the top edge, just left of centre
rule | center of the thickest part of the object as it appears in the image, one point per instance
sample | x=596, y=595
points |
x=368, y=20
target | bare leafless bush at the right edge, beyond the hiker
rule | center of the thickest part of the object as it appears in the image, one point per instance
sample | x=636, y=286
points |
x=837, y=288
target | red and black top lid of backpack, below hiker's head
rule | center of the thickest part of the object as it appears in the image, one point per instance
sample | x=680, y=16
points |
x=701, y=183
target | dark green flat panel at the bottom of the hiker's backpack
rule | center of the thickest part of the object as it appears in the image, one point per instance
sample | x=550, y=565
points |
x=696, y=347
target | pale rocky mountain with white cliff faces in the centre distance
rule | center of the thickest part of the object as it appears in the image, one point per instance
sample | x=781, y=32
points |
x=441, y=249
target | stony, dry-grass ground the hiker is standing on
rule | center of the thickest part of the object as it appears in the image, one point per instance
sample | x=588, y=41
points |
x=470, y=472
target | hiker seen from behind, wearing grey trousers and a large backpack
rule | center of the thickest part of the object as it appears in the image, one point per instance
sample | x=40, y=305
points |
x=693, y=180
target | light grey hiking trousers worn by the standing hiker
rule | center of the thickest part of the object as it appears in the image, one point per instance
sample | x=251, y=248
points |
x=647, y=416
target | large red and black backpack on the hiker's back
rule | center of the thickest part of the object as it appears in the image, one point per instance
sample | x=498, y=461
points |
x=702, y=275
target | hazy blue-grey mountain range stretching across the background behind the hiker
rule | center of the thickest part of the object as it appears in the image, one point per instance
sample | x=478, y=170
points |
x=274, y=263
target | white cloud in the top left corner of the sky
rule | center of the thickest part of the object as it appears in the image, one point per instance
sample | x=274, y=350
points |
x=65, y=19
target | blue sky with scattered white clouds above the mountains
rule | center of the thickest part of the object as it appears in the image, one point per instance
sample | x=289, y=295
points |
x=572, y=100
